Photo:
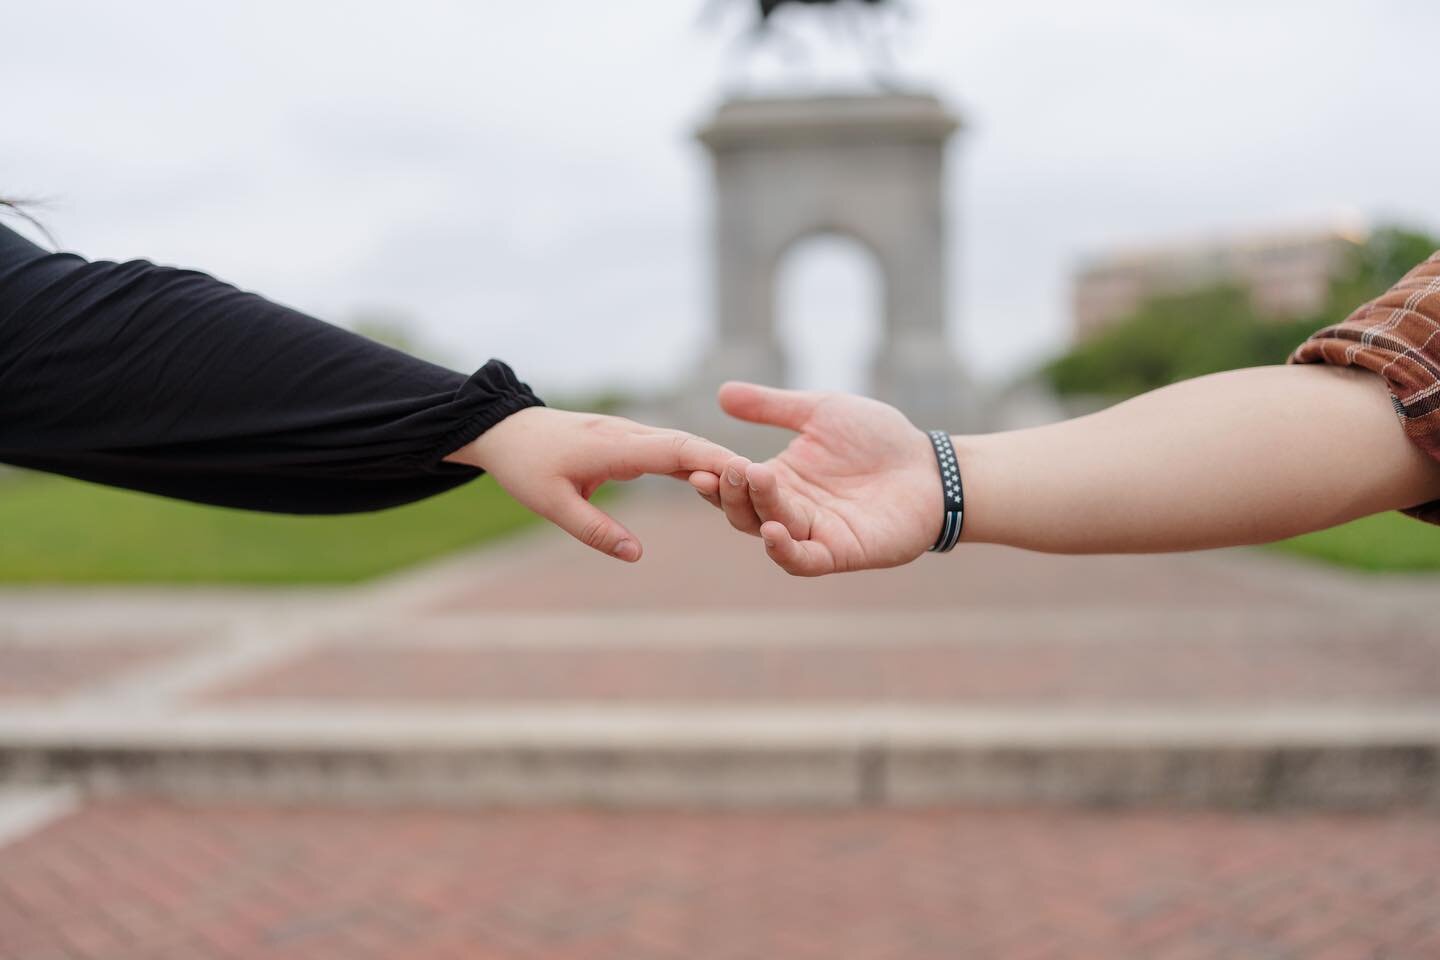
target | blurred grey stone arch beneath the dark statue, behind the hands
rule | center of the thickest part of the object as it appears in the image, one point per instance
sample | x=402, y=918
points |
x=869, y=168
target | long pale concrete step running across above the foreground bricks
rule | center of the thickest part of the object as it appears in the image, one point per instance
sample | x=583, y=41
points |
x=1321, y=758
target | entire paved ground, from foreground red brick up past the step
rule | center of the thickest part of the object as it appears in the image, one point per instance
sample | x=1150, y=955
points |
x=545, y=674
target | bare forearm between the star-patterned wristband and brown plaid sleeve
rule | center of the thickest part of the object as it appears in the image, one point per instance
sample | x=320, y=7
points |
x=1236, y=458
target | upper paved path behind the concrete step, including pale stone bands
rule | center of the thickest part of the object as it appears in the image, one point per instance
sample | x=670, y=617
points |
x=705, y=620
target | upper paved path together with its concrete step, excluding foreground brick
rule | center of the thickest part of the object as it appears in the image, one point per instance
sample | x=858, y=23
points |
x=545, y=673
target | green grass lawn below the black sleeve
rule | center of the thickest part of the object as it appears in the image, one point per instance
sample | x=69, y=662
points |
x=55, y=530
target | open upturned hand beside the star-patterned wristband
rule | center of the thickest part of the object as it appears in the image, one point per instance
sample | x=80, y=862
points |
x=856, y=490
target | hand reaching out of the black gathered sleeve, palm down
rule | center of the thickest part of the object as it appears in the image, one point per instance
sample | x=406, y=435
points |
x=552, y=461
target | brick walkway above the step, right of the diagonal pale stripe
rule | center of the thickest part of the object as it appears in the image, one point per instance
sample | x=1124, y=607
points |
x=986, y=625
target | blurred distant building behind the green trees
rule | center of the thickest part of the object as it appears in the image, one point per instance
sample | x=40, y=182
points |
x=1288, y=274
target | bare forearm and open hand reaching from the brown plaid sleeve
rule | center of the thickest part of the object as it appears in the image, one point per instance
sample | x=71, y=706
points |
x=1236, y=458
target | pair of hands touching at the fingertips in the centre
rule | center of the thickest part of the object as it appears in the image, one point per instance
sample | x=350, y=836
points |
x=858, y=489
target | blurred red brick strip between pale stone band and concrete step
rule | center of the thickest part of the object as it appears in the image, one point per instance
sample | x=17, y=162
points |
x=1337, y=667
